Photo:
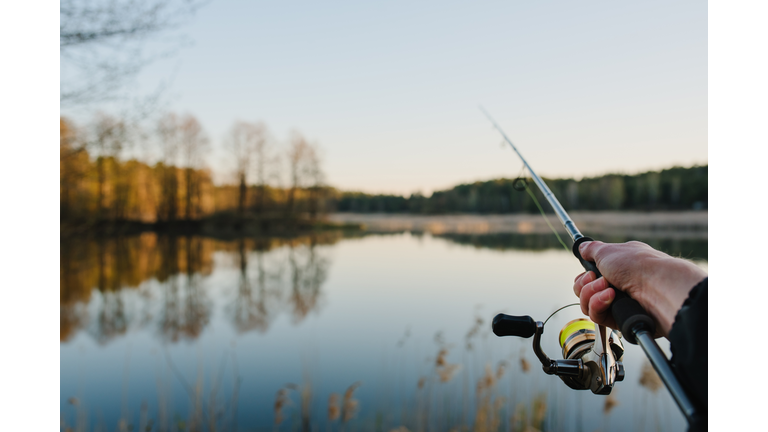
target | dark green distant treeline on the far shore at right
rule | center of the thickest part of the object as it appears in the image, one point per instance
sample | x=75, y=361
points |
x=670, y=189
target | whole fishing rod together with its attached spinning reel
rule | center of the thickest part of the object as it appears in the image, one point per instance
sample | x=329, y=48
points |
x=593, y=356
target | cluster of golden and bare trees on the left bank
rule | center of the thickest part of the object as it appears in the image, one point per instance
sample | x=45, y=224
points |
x=99, y=182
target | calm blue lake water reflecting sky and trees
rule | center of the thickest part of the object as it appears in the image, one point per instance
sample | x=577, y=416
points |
x=332, y=331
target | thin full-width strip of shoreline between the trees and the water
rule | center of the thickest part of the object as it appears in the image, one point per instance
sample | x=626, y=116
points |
x=667, y=224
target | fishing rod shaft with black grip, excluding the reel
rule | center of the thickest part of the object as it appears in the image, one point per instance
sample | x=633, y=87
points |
x=633, y=321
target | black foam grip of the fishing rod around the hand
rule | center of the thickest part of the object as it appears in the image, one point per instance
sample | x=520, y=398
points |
x=626, y=311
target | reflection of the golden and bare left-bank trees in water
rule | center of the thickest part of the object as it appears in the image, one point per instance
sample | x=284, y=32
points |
x=126, y=278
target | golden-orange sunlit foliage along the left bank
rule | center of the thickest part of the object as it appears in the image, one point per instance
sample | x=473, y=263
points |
x=97, y=185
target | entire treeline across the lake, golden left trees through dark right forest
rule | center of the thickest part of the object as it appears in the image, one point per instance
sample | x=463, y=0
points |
x=103, y=180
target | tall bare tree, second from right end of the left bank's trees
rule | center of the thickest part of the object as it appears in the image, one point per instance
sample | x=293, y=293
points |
x=248, y=145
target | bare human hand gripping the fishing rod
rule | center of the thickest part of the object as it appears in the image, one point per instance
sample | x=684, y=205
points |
x=659, y=282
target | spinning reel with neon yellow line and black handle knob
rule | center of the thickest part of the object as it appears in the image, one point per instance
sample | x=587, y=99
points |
x=592, y=353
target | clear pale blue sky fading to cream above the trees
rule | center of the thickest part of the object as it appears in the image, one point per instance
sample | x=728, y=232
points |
x=390, y=91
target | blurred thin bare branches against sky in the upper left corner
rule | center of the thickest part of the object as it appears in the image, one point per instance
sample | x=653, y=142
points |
x=102, y=42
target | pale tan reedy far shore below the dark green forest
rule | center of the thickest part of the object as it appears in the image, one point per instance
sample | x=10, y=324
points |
x=684, y=224
